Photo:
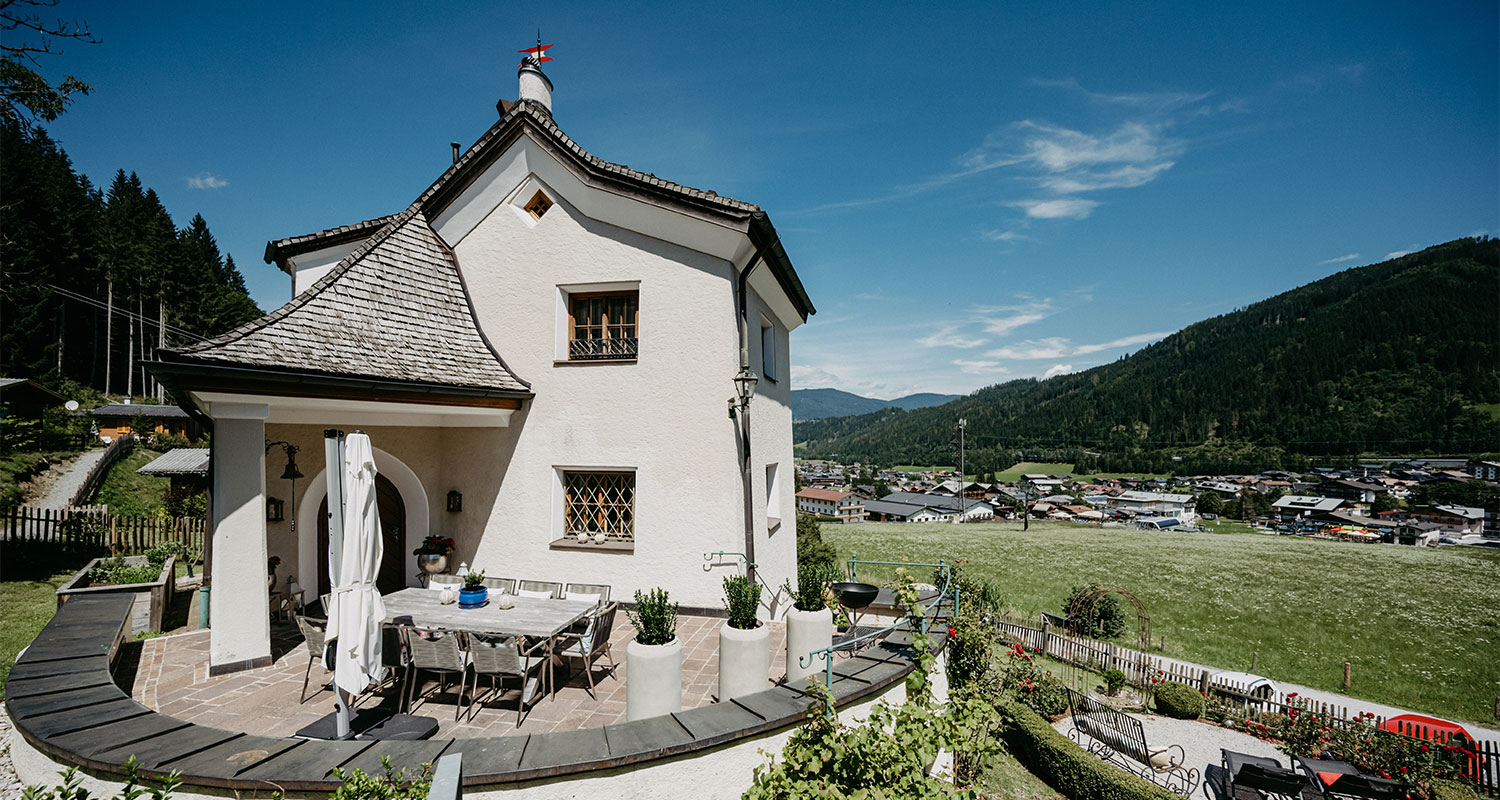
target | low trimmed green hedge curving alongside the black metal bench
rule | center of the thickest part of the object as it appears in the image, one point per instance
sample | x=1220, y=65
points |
x=1067, y=768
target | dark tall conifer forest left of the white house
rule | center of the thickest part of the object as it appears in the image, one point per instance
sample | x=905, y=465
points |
x=94, y=283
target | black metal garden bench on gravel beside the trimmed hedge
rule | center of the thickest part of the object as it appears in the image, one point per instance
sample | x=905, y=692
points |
x=1121, y=741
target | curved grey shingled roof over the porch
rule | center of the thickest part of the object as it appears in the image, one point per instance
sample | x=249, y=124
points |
x=395, y=310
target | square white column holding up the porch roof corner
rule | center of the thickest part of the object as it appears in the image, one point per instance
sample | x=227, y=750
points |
x=241, y=636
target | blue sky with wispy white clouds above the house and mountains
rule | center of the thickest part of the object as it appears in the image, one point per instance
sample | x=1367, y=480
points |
x=973, y=193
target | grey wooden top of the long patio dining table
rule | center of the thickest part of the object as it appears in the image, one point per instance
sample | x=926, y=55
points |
x=530, y=616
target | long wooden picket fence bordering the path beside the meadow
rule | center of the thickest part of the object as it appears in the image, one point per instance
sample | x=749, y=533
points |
x=1142, y=670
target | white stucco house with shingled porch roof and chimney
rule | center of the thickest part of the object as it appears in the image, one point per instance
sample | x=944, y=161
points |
x=541, y=344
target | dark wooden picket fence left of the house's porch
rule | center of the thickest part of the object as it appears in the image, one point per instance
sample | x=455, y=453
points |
x=95, y=531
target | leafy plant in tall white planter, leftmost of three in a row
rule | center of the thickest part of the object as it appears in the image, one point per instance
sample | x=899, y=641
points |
x=653, y=660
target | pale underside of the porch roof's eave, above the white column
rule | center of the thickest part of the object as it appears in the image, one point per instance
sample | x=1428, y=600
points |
x=298, y=411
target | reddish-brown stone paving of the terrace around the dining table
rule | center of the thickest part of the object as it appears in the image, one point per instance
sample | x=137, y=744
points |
x=173, y=678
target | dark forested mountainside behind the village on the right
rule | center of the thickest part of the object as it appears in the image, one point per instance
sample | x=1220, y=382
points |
x=1393, y=358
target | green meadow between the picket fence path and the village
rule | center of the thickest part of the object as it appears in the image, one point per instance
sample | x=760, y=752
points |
x=1421, y=627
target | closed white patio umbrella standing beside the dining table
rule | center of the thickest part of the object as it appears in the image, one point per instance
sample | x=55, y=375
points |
x=355, y=556
